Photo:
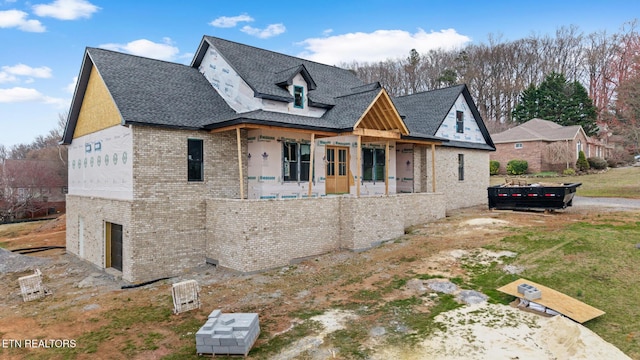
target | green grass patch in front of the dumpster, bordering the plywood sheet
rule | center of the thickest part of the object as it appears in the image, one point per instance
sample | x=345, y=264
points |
x=594, y=261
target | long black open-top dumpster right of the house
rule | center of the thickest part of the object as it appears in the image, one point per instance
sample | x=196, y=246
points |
x=531, y=196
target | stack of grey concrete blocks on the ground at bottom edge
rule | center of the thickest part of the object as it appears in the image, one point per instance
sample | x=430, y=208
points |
x=228, y=334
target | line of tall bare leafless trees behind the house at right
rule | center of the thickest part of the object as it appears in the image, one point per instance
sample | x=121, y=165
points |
x=498, y=71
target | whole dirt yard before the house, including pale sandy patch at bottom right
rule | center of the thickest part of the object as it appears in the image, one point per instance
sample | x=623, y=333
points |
x=89, y=309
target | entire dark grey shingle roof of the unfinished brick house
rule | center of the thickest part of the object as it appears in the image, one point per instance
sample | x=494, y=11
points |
x=154, y=92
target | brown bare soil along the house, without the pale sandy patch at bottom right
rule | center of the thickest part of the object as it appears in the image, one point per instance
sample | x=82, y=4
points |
x=88, y=306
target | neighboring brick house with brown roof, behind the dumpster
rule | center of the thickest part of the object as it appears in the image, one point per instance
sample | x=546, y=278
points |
x=545, y=145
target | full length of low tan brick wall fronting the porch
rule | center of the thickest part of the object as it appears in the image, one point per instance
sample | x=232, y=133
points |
x=254, y=235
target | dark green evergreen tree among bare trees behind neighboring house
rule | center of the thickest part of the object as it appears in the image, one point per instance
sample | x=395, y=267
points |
x=558, y=100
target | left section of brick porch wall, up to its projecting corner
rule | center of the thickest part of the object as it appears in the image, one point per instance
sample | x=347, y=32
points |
x=253, y=235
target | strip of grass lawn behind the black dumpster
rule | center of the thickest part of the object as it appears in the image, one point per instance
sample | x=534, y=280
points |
x=618, y=182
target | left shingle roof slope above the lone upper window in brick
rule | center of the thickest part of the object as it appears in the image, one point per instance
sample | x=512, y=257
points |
x=157, y=92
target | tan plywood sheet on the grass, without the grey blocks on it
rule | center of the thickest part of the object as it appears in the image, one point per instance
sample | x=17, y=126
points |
x=555, y=300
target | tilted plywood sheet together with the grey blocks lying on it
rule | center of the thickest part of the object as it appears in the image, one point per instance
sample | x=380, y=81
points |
x=549, y=301
